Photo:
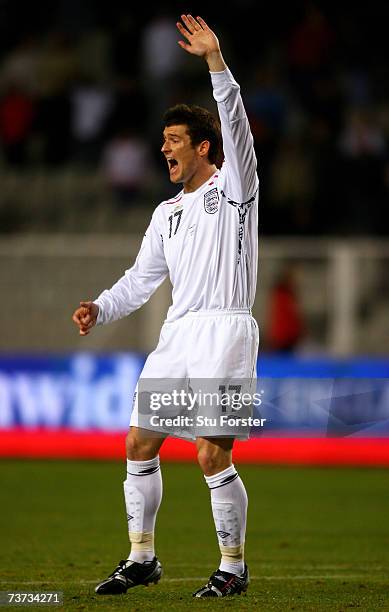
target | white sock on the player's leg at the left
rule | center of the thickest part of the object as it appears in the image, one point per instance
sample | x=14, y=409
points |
x=143, y=494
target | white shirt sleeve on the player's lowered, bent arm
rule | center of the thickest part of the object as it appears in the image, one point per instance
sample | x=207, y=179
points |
x=139, y=282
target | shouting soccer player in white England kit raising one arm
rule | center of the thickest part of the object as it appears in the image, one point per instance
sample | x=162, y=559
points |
x=205, y=238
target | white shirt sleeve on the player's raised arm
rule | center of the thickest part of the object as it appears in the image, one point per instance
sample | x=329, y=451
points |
x=238, y=143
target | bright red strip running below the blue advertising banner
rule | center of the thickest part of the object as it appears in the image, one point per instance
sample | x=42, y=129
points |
x=60, y=444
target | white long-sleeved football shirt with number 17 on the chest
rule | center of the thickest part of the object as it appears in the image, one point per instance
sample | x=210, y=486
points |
x=206, y=240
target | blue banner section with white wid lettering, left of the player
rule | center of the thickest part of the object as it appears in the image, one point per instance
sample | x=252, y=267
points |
x=81, y=391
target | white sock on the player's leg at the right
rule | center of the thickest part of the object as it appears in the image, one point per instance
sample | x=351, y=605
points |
x=229, y=509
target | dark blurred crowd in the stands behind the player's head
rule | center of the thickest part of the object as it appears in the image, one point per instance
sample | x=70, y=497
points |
x=85, y=85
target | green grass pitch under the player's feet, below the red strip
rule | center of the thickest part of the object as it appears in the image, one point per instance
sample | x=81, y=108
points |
x=318, y=539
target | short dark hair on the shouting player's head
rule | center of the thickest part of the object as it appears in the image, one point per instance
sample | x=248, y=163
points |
x=201, y=124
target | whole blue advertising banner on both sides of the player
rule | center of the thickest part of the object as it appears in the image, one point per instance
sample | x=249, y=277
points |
x=85, y=391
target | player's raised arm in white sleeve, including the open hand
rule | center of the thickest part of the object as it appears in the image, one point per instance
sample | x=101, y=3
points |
x=238, y=144
